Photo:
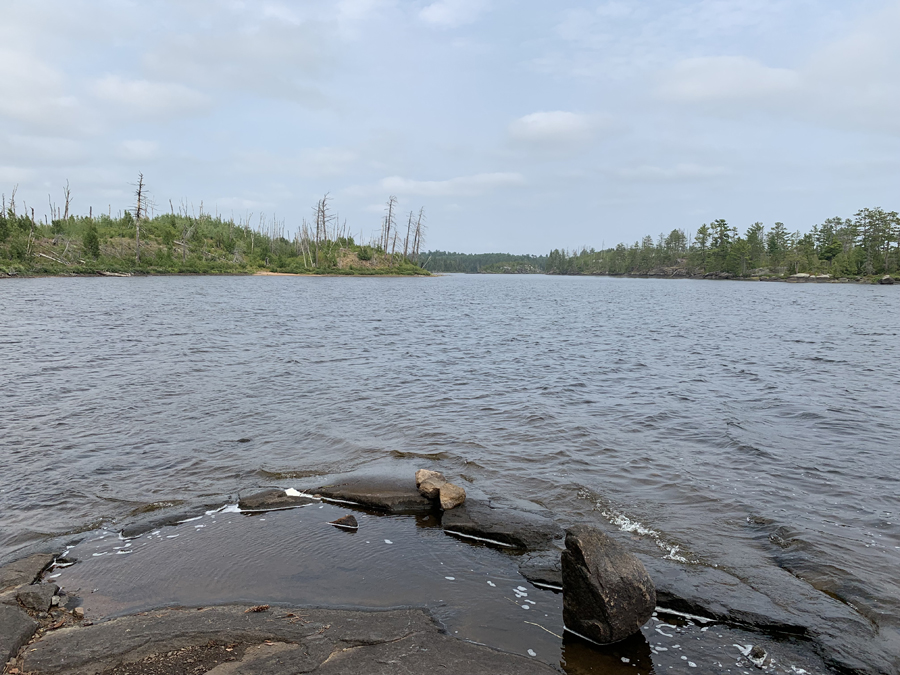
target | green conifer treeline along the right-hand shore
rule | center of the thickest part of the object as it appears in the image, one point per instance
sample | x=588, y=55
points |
x=865, y=245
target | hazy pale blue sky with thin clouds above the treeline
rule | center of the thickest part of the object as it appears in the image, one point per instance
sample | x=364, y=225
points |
x=519, y=126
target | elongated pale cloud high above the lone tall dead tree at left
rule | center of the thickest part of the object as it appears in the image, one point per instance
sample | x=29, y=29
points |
x=149, y=99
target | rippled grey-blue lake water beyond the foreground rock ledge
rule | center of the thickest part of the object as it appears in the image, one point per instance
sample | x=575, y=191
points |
x=744, y=425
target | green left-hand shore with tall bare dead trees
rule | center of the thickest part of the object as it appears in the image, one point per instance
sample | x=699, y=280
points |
x=192, y=241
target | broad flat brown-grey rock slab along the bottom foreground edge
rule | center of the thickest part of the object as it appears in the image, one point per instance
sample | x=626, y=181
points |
x=278, y=641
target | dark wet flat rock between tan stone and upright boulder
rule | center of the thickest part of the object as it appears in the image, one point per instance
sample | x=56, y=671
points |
x=509, y=527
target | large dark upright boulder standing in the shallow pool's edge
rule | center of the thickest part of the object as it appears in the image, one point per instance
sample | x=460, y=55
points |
x=607, y=593
